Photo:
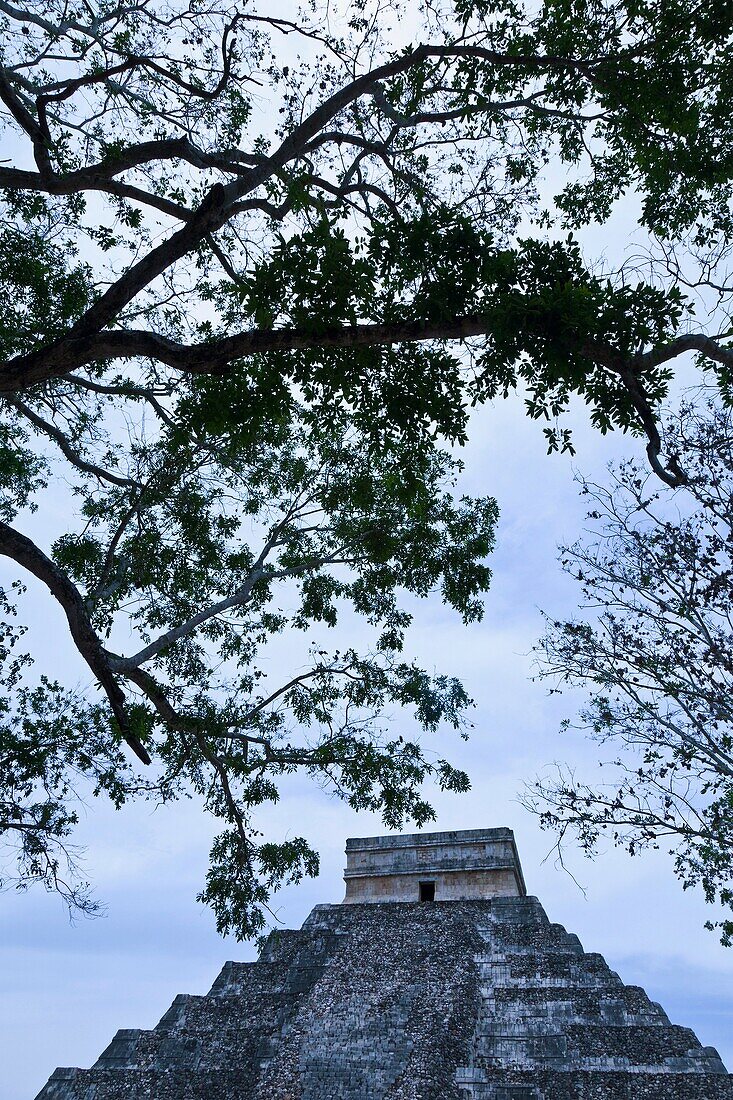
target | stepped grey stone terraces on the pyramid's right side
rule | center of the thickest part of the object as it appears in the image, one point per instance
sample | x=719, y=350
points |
x=556, y=1024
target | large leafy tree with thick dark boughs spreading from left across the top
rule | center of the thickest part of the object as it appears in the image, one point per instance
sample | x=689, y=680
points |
x=239, y=343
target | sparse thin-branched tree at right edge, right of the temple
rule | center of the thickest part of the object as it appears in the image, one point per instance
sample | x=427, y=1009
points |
x=655, y=651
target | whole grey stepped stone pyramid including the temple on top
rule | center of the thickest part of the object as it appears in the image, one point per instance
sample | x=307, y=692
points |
x=436, y=980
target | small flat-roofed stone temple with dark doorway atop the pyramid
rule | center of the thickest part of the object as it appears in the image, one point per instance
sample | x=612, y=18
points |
x=458, y=866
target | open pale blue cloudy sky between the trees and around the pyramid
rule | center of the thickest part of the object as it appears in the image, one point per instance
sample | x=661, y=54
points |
x=69, y=987
